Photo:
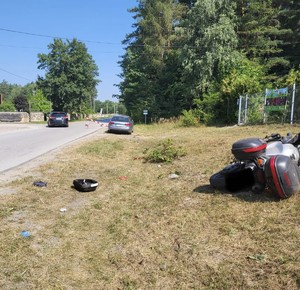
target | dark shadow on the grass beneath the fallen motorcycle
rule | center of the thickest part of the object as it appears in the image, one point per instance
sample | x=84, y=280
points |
x=246, y=195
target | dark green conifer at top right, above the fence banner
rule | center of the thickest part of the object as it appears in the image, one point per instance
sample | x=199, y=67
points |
x=261, y=34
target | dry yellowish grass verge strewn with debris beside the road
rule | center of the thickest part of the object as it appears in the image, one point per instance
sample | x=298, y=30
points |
x=142, y=230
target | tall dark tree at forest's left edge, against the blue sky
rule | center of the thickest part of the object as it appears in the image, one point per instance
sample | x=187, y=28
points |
x=149, y=54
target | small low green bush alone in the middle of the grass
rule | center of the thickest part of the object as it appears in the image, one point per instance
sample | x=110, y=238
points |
x=164, y=151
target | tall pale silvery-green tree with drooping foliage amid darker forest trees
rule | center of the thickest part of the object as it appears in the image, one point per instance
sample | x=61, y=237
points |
x=210, y=49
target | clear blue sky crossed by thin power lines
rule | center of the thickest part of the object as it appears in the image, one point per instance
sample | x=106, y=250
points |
x=100, y=24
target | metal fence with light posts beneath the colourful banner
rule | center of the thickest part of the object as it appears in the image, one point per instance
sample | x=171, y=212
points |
x=253, y=109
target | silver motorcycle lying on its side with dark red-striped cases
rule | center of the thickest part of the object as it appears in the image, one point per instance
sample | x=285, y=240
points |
x=272, y=162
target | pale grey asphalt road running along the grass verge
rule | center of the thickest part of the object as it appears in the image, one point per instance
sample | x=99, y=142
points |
x=20, y=143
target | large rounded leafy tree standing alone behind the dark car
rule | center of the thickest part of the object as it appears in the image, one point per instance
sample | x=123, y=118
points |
x=70, y=78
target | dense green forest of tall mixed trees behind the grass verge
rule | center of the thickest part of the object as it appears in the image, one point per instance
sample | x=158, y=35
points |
x=197, y=57
